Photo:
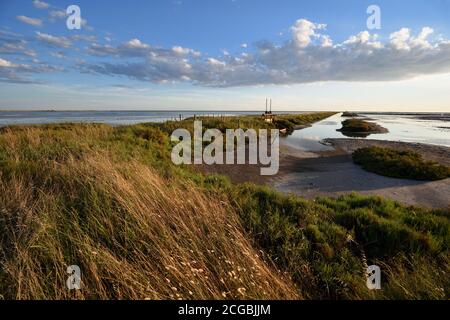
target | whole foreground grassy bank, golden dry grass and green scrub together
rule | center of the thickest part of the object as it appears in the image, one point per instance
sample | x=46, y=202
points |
x=109, y=200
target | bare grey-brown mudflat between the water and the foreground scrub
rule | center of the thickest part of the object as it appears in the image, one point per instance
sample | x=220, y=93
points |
x=333, y=173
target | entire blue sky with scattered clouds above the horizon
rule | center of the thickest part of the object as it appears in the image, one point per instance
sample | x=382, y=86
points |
x=225, y=55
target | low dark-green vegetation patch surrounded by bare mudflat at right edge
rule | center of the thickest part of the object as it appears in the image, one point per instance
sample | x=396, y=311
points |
x=399, y=164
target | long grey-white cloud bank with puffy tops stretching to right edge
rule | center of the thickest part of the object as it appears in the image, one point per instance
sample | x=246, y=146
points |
x=310, y=56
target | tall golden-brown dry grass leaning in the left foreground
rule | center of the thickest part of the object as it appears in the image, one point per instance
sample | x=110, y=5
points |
x=133, y=234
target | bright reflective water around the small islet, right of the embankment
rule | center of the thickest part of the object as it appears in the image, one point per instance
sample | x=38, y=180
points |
x=423, y=128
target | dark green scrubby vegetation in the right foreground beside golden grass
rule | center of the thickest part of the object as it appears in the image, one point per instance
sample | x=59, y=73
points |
x=325, y=243
